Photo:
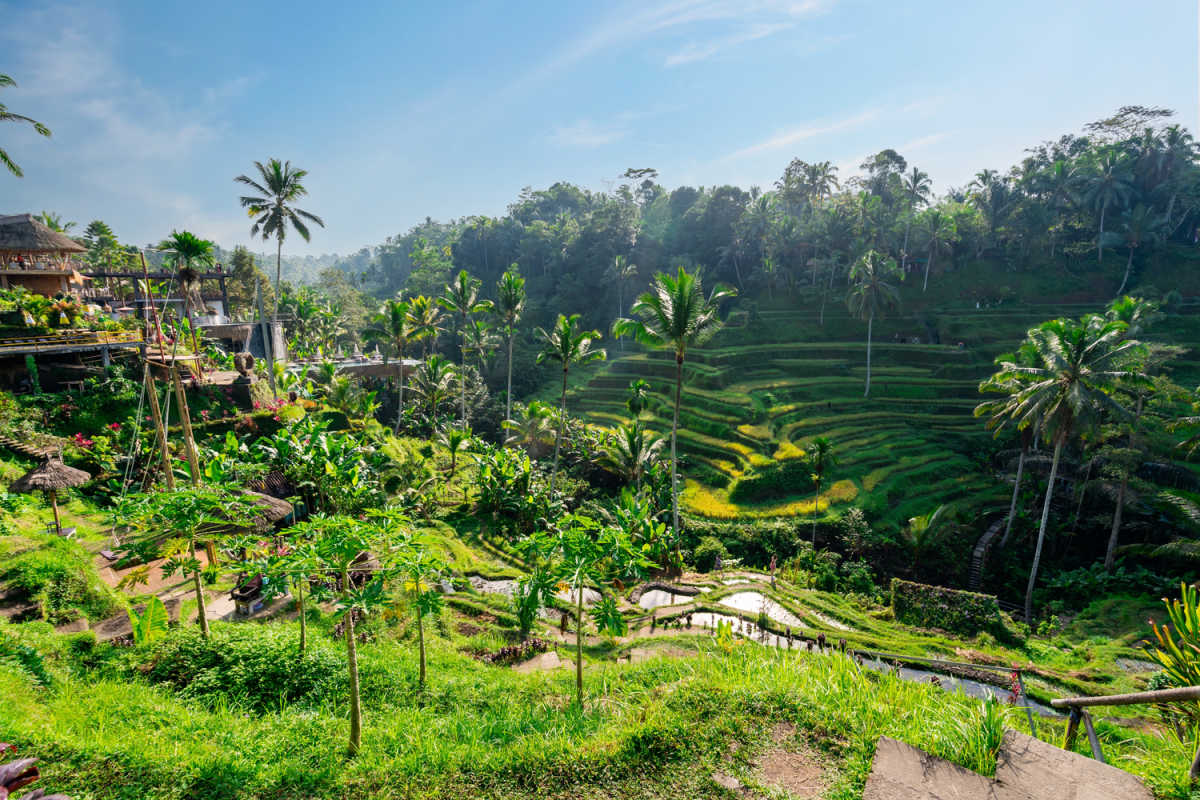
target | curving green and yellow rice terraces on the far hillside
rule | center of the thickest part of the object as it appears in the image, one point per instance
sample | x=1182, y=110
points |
x=773, y=381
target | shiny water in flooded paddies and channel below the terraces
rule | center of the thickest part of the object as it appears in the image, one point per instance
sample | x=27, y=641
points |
x=754, y=603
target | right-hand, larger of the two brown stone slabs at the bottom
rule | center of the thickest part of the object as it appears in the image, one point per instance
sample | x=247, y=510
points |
x=1063, y=775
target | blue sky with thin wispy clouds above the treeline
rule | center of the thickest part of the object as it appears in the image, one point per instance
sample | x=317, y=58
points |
x=401, y=111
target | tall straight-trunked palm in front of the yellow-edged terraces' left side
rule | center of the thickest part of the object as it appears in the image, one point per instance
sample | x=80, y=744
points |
x=675, y=315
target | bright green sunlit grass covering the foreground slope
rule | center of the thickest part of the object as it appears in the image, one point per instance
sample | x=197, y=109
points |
x=658, y=729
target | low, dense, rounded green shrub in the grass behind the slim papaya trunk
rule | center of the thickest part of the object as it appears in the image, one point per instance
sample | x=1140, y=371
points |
x=255, y=665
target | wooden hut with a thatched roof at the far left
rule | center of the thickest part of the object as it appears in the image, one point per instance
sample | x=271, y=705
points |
x=38, y=258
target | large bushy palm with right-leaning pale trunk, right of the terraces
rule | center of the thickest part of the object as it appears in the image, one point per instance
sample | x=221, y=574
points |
x=1078, y=365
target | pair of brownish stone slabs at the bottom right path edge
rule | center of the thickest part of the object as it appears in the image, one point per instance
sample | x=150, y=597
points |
x=1027, y=769
